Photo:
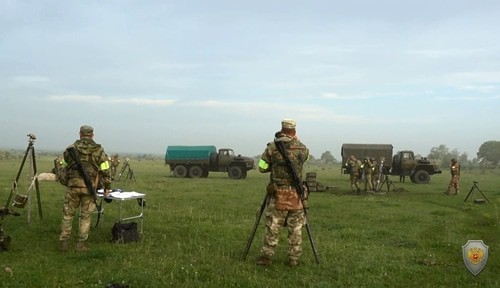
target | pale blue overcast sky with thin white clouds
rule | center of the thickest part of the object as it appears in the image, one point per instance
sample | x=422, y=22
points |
x=147, y=74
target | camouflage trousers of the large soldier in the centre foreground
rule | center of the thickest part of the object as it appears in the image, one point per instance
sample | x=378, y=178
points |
x=275, y=220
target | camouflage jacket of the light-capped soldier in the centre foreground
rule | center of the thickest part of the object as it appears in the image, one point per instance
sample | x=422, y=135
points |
x=273, y=161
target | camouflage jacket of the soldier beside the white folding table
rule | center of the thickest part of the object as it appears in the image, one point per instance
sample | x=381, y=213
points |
x=94, y=161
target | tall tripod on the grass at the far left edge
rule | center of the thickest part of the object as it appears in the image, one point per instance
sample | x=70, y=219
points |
x=20, y=200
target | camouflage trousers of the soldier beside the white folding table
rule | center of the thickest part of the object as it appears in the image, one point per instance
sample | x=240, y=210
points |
x=74, y=199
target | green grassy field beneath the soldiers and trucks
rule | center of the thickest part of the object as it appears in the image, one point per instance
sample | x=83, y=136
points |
x=195, y=231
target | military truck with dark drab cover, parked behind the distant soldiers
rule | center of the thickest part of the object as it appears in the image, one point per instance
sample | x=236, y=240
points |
x=402, y=164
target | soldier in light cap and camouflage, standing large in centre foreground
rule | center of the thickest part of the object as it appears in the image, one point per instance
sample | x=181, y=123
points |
x=285, y=207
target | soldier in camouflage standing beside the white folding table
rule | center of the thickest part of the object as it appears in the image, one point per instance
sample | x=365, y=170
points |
x=95, y=162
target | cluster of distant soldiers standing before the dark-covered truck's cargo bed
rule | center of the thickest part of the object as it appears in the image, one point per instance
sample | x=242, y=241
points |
x=366, y=171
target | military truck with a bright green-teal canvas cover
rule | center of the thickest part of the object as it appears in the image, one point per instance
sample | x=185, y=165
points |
x=198, y=161
